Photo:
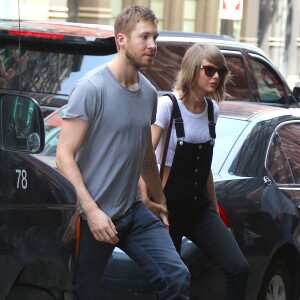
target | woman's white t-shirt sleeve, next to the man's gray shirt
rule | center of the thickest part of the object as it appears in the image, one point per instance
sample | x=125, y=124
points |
x=164, y=111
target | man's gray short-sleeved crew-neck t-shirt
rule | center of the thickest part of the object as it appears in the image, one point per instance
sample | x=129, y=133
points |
x=113, y=150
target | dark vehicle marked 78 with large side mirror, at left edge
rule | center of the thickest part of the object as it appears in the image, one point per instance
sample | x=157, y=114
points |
x=38, y=210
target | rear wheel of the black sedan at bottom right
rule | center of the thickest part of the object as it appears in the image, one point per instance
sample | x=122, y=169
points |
x=276, y=283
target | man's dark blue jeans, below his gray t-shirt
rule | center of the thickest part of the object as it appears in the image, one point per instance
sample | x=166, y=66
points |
x=143, y=238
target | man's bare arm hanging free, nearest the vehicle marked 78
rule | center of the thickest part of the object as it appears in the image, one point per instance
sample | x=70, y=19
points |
x=72, y=135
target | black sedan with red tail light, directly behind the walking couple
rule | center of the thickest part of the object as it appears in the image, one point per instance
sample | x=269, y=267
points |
x=256, y=168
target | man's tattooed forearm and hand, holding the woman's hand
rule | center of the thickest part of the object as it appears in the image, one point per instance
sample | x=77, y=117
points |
x=150, y=175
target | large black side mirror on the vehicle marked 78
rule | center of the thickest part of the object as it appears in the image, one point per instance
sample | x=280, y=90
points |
x=21, y=124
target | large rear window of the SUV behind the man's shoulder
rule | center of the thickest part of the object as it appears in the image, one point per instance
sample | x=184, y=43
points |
x=45, y=71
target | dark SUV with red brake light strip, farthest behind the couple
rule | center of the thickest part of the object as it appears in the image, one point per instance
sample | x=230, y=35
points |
x=43, y=60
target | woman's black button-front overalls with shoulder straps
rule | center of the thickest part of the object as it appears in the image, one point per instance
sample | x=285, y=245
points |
x=192, y=213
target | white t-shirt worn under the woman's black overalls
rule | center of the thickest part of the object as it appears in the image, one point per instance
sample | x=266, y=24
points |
x=195, y=126
